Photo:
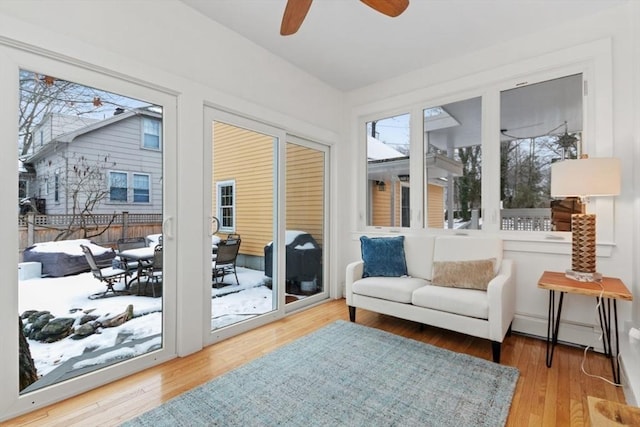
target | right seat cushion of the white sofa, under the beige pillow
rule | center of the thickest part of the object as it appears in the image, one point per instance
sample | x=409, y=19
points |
x=466, y=302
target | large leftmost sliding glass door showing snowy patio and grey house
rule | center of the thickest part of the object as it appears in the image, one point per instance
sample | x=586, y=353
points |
x=91, y=172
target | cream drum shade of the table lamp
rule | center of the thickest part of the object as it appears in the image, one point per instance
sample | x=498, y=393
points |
x=585, y=177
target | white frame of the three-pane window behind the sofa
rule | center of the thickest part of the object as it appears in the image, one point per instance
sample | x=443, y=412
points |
x=592, y=60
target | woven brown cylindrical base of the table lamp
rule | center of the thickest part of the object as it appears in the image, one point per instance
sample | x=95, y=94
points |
x=583, y=248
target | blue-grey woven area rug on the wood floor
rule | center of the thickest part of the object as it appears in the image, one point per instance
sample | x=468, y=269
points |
x=346, y=374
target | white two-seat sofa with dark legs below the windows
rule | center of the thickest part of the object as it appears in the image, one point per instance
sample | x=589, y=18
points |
x=485, y=314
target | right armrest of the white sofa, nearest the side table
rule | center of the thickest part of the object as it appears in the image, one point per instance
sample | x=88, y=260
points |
x=501, y=293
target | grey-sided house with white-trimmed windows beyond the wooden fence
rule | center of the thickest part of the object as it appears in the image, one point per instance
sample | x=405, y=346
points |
x=122, y=155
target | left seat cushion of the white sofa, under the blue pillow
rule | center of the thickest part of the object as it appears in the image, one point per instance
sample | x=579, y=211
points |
x=397, y=289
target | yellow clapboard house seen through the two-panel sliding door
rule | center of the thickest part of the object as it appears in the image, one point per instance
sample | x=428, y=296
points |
x=243, y=186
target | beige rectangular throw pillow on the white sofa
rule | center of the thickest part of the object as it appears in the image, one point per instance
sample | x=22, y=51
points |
x=474, y=274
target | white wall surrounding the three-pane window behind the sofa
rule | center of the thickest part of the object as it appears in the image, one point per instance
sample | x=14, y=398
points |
x=519, y=56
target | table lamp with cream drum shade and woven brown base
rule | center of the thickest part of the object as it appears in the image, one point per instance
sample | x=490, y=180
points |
x=585, y=177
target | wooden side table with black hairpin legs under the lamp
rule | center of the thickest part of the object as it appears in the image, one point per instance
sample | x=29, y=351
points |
x=607, y=292
